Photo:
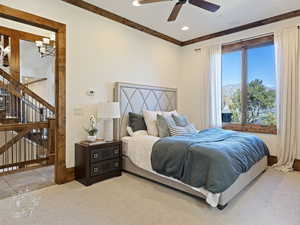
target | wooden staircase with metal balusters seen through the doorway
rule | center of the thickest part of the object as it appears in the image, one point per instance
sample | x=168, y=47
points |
x=27, y=127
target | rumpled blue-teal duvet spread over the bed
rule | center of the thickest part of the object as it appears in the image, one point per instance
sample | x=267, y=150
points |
x=212, y=158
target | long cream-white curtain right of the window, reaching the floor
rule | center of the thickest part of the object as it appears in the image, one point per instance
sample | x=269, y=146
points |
x=287, y=45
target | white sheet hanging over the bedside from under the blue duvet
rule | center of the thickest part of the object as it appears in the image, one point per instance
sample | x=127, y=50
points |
x=139, y=149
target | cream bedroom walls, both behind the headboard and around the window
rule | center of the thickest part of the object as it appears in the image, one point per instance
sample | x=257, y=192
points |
x=101, y=52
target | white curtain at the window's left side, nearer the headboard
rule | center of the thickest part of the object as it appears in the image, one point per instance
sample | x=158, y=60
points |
x=211, y=84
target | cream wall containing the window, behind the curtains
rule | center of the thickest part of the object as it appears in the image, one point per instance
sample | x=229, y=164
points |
x=190, y=76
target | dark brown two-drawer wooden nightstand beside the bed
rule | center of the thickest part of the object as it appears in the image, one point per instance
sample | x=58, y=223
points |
x=94, y=163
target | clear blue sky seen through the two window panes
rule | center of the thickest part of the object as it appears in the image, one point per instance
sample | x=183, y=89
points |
x=261, y=65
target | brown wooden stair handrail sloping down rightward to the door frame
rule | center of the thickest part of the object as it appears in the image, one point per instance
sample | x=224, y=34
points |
x=26, y=90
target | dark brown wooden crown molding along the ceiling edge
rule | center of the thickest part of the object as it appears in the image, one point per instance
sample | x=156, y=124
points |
x=112, y=16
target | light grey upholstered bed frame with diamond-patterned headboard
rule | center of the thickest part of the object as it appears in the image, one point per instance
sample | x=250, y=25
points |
x=136, y=98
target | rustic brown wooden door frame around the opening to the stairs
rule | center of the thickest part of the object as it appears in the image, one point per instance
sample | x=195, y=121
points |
x=62, y=174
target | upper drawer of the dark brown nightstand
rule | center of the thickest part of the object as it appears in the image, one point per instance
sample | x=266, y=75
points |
x=105, y=154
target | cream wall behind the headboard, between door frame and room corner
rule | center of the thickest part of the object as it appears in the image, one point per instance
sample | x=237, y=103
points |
x=99, y=53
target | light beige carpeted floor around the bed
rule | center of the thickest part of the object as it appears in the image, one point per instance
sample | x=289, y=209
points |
x=273, y=199
